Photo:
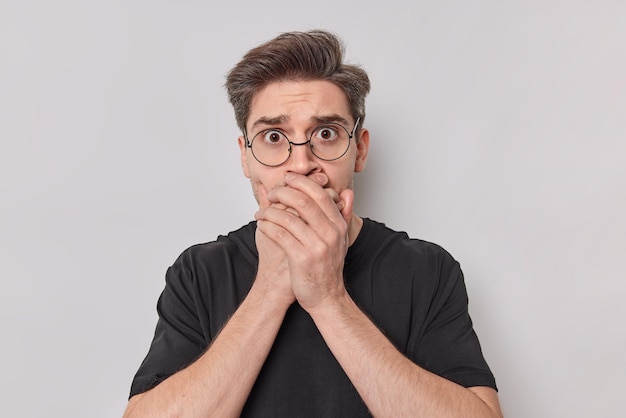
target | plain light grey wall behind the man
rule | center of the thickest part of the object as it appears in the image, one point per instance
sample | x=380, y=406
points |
x=498, y=130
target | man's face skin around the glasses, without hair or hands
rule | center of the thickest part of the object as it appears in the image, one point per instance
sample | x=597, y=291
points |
x=296, y=108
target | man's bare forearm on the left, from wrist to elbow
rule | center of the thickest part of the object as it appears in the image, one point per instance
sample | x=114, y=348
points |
x=219, y=382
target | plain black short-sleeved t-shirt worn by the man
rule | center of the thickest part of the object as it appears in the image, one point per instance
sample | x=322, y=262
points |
x=411, y=289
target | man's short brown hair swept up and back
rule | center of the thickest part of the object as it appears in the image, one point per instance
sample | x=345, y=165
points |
x=312, y=55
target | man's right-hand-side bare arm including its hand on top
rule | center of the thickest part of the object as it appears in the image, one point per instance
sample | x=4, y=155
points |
x=389, y=383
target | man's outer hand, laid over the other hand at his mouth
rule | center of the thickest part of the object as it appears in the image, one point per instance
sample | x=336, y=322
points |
x=313, y=233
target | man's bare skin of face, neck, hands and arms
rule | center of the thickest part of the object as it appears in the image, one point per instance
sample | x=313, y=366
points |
x=305, y=224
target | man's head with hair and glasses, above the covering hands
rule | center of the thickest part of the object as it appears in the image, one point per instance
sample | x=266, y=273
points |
x=295, y=92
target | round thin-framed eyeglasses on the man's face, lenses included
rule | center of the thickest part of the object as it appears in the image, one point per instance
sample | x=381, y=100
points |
x=328, y=142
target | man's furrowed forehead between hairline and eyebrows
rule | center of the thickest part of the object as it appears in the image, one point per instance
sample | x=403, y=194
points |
x=298, y=100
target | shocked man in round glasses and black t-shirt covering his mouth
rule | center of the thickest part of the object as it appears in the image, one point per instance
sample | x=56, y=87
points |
x=310, y=310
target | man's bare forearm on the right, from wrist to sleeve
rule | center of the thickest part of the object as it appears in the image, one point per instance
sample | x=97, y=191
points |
x=389, y=383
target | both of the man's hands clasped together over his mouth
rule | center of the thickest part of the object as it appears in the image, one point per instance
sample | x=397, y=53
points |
x=302, y=239
